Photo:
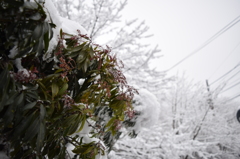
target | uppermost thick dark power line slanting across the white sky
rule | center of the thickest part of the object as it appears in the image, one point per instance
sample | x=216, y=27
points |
x=220, y=32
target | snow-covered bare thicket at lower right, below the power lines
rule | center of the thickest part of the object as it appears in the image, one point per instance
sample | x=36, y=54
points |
x=187, y=127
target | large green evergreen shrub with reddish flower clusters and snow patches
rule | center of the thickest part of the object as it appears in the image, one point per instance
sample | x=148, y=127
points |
x=61, y=95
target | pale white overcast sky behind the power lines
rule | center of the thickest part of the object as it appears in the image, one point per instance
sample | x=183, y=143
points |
x=182, y=26
